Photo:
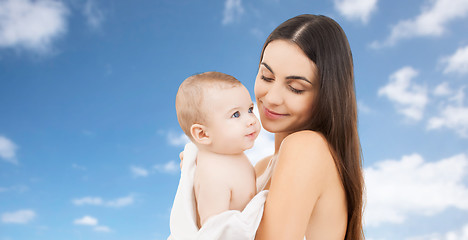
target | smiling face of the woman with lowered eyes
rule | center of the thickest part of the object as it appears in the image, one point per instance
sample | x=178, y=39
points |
x=286, y=87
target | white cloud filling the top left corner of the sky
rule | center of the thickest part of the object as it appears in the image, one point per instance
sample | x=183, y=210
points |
x=31, y=25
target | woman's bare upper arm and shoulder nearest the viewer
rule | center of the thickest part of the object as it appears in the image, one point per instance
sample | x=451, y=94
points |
x=304, y=161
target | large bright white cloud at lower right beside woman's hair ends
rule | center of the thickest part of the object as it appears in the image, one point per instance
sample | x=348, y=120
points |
x=398, y=188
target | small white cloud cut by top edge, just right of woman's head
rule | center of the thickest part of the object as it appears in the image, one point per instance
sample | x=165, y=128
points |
x=356, y=9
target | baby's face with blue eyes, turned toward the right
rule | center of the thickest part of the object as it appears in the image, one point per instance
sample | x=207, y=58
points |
x=231, y=123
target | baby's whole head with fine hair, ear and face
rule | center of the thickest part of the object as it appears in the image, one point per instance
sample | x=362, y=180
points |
x=216, y=112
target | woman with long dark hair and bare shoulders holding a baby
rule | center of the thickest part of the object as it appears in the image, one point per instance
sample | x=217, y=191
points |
x=305, y=94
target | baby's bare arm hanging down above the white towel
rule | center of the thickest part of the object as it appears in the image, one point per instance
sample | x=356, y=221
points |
x=212, y=192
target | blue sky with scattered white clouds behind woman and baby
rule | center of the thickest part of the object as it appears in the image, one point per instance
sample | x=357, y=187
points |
x=89, y=140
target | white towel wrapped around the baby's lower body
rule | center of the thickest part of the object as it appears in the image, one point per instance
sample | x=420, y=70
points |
x=227, y=225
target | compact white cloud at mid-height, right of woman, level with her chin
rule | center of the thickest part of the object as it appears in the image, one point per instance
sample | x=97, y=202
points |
x=409, y=98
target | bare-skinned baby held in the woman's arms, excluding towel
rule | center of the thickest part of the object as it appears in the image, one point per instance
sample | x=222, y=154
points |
x=216, y=112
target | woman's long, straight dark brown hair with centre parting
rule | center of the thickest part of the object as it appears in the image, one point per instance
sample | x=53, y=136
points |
x=335, y=113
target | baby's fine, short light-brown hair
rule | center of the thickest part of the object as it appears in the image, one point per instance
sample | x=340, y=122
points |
x=190, y=97
